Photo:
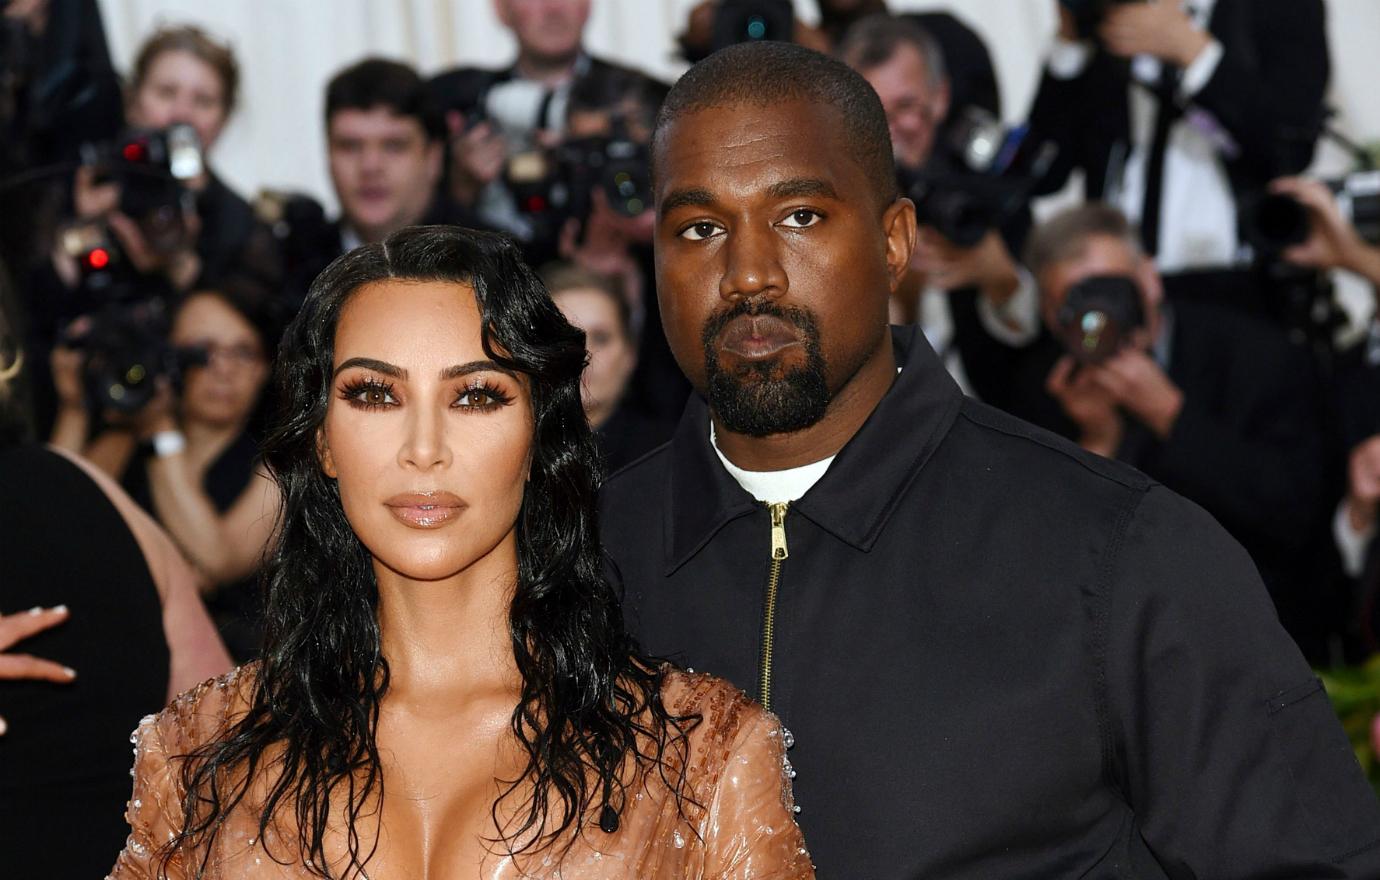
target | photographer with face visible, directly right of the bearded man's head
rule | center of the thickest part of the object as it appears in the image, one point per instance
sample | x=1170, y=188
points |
x=974, y=300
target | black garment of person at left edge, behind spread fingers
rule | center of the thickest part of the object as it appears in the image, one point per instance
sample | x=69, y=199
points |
x=66, y=759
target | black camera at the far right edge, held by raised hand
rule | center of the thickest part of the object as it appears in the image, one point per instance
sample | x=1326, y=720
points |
x=1273, y=223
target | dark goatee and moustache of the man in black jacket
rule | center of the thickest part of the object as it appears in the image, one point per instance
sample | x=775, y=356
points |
x=756, y=402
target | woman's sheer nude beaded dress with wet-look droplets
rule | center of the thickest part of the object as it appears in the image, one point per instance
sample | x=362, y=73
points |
x=738, y=823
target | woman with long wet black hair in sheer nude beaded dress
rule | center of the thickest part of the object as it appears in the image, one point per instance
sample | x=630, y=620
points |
x=448, y=689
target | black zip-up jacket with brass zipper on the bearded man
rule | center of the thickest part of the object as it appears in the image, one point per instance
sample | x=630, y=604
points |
x=1000, y=656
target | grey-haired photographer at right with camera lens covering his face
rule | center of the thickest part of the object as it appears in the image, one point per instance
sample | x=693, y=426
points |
x=1215, y=405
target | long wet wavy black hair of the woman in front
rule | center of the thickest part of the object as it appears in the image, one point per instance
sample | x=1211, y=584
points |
x=591, y=703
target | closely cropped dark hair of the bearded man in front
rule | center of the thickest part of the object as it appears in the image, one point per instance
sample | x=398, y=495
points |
x=768, y=74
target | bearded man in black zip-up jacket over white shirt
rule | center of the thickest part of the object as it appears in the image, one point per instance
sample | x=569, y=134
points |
x=997, y=656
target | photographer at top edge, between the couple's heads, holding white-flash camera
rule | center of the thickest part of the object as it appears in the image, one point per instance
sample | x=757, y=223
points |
x=493, y=115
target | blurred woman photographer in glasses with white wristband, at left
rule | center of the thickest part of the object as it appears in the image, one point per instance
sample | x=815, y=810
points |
x=188, y=456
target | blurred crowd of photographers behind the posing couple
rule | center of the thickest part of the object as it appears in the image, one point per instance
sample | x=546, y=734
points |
x=1179, y=315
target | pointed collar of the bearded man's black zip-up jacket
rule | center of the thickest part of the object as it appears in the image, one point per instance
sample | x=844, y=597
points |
x=859, y=492
